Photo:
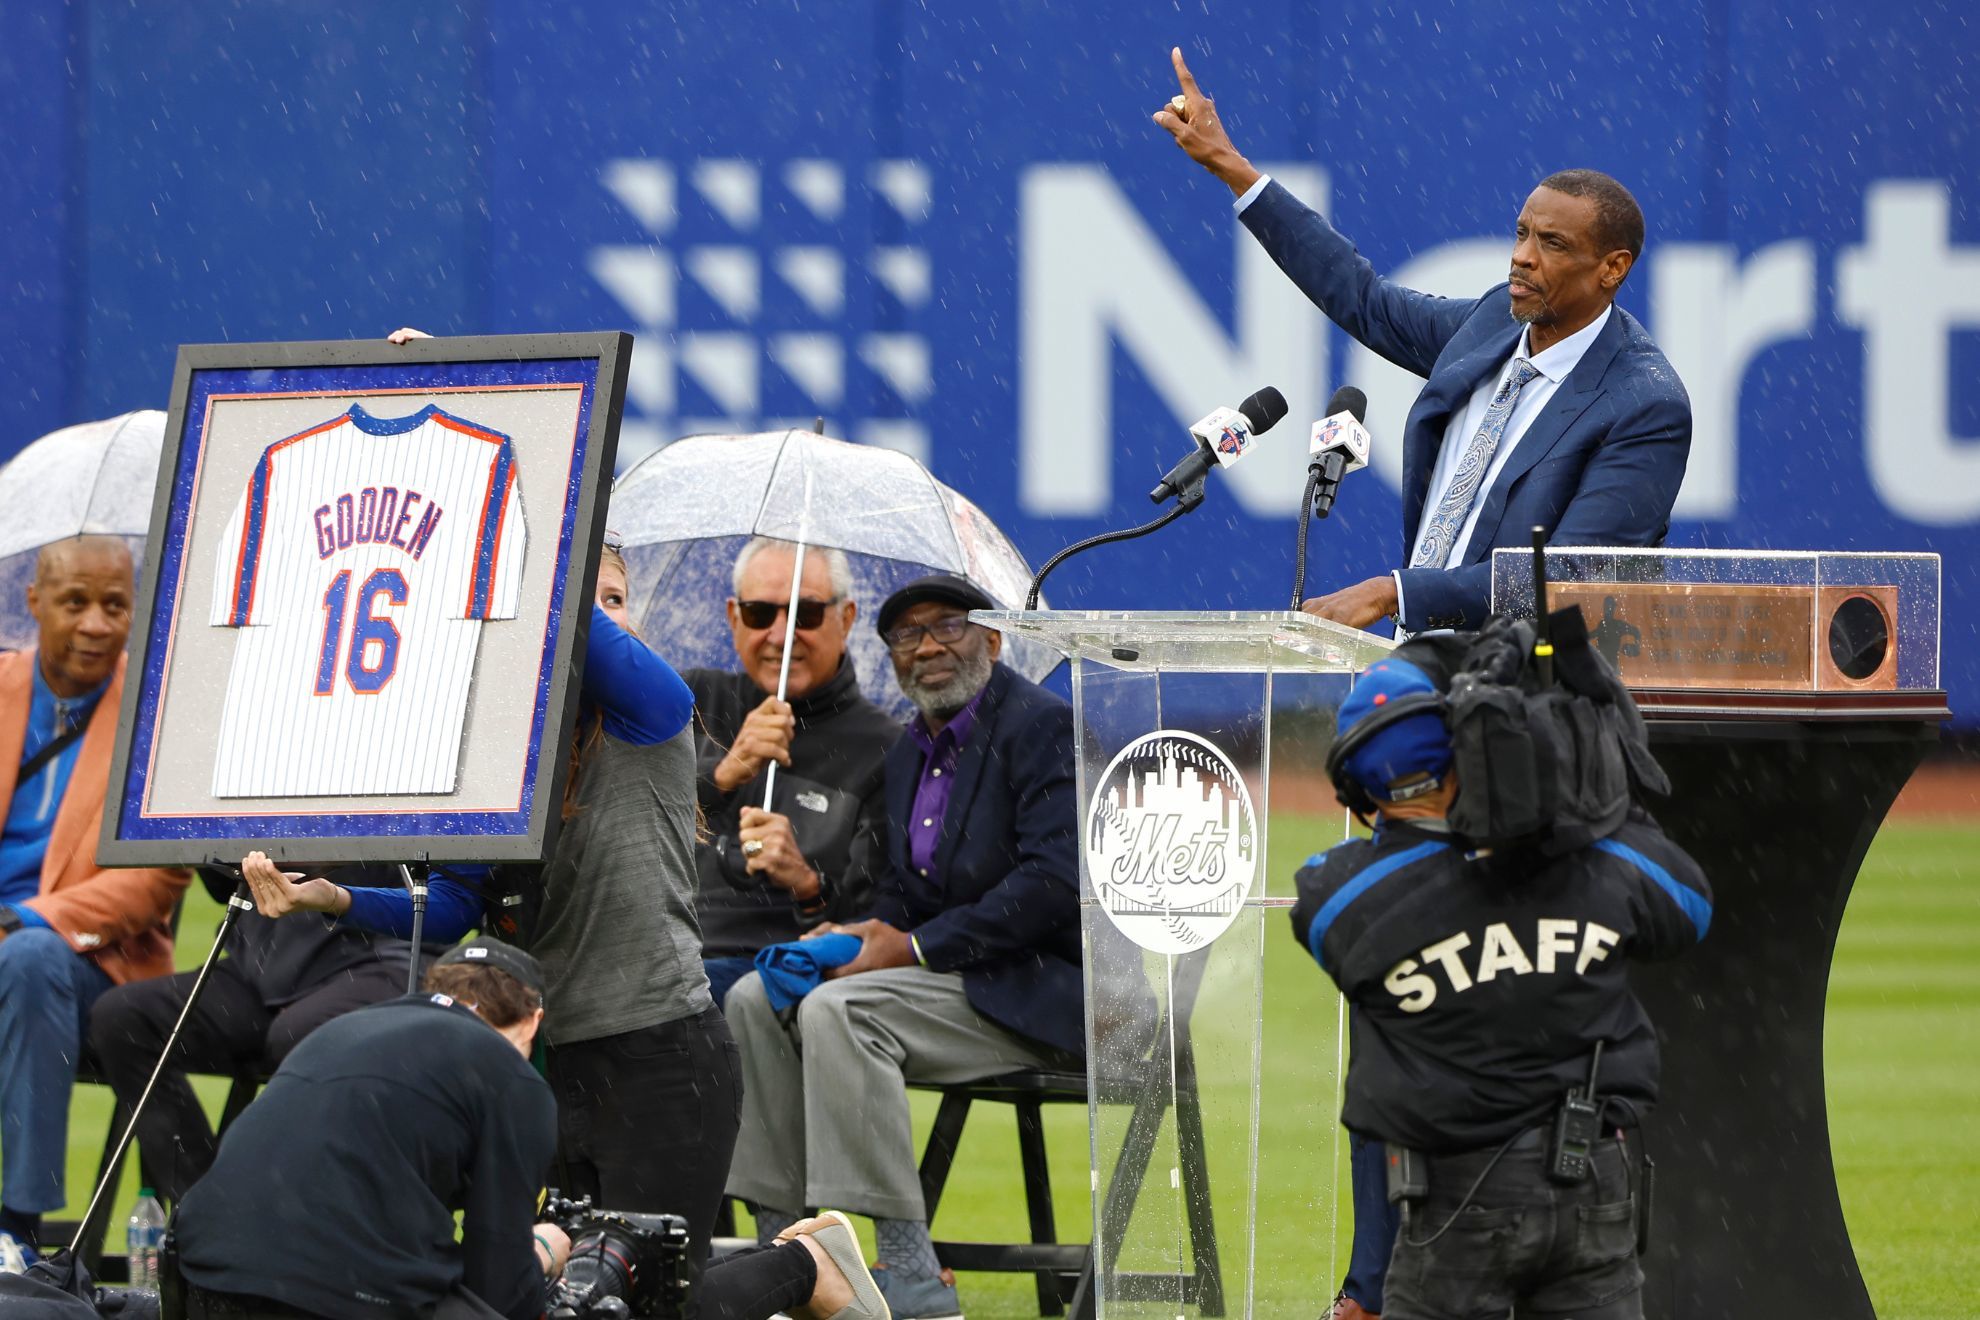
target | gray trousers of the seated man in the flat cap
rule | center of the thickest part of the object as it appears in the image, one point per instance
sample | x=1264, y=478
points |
x=825, y=1101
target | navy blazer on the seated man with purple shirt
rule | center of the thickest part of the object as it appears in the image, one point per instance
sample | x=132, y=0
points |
x=1003, y=905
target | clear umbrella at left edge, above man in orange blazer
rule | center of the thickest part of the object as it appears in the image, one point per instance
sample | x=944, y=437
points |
x=92, y=480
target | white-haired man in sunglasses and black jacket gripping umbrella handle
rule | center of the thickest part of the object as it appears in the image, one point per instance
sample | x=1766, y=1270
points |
x=771, y=872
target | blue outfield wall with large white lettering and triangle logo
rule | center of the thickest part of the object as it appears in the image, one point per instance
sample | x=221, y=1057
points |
x=955, y=231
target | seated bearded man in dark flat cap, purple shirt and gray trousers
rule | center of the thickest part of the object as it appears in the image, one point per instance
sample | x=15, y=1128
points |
x=969, y=963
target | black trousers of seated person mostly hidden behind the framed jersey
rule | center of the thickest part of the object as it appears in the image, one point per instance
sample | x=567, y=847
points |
x=229, y=1030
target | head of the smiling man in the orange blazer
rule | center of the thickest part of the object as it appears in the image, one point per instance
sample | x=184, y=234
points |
x=82, y=597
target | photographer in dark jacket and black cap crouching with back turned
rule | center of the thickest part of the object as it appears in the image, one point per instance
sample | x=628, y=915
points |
x=336, y=1190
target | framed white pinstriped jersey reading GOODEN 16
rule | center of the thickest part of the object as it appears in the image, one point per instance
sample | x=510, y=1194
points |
x=367, y=591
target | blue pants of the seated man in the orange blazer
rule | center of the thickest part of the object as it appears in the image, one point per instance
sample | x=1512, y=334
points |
x=47, y=990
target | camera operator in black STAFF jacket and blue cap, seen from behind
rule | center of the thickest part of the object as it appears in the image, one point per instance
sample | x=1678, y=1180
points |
x=1488, y=998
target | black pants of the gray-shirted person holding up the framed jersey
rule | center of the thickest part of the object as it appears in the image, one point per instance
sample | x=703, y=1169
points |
x=648, y=1119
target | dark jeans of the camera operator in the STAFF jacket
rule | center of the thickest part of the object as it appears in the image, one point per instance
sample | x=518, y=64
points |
x=1522, y=1244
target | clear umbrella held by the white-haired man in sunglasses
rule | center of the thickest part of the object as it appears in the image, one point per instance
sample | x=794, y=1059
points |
x=686, y=512
